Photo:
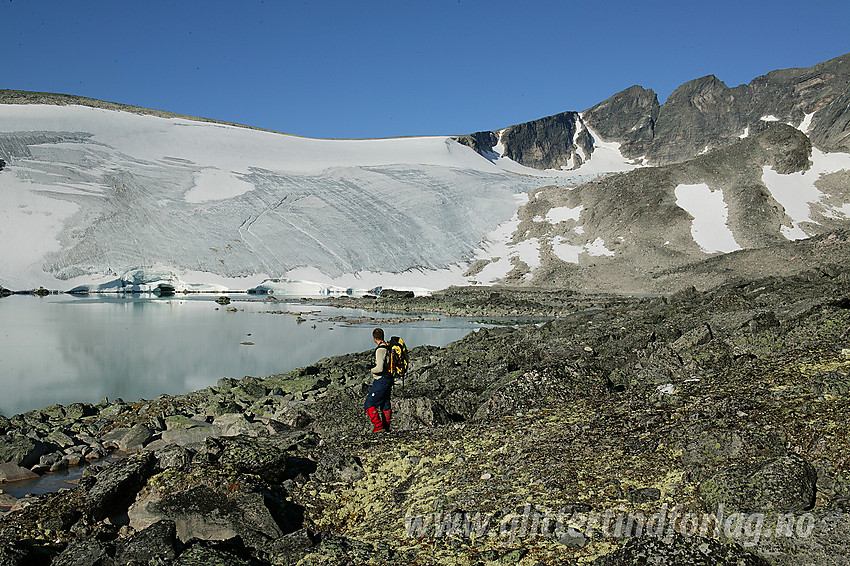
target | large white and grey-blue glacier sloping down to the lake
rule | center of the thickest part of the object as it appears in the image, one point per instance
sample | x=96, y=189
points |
x=92, y=195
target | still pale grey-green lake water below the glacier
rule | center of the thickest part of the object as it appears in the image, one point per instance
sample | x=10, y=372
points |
x=63, y=349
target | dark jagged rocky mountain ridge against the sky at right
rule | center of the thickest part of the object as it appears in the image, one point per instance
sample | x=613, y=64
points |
x=700, y=115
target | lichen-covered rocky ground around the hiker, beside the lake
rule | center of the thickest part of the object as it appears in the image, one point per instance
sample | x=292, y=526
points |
x=515, y=445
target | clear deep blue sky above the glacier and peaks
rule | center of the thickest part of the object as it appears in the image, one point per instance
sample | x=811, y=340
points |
x=359, y=68
